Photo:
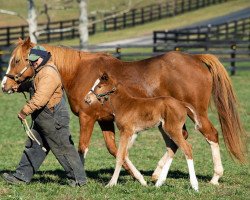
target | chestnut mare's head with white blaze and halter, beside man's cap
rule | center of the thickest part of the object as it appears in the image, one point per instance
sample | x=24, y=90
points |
x=19, y=68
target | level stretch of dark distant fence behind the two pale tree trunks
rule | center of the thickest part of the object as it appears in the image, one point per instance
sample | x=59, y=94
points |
x=53, y=31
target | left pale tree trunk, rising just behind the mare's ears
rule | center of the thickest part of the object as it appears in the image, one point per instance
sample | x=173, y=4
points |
x=32, y=20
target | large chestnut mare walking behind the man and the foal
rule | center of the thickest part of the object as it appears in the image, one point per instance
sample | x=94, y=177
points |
x=190, y=78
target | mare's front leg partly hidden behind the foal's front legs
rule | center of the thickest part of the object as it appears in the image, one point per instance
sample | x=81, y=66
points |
x=108, y=131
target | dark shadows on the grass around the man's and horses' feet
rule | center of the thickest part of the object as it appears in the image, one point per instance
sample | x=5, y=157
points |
x=102, y=175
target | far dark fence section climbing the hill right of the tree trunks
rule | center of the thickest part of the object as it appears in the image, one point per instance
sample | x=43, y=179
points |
x=155, y=12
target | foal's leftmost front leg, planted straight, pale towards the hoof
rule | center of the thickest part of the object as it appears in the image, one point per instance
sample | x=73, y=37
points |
x=120, y=158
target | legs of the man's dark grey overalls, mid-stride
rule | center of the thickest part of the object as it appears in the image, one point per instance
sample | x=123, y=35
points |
x=52, y=130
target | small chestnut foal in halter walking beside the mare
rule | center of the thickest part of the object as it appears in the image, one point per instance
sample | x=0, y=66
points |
x=133, y=115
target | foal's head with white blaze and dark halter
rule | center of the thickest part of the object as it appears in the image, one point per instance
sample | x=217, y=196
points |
x=103, y=87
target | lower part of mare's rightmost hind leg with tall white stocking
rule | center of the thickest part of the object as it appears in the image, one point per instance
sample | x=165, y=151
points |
x=211, y=135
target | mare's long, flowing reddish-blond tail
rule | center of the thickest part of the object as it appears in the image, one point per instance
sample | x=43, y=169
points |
x=226, y=103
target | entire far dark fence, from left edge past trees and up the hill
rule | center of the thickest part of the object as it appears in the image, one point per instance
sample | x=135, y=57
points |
x=69, y=29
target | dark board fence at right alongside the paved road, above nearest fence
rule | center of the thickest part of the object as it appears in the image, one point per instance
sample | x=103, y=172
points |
x=235, y=30
